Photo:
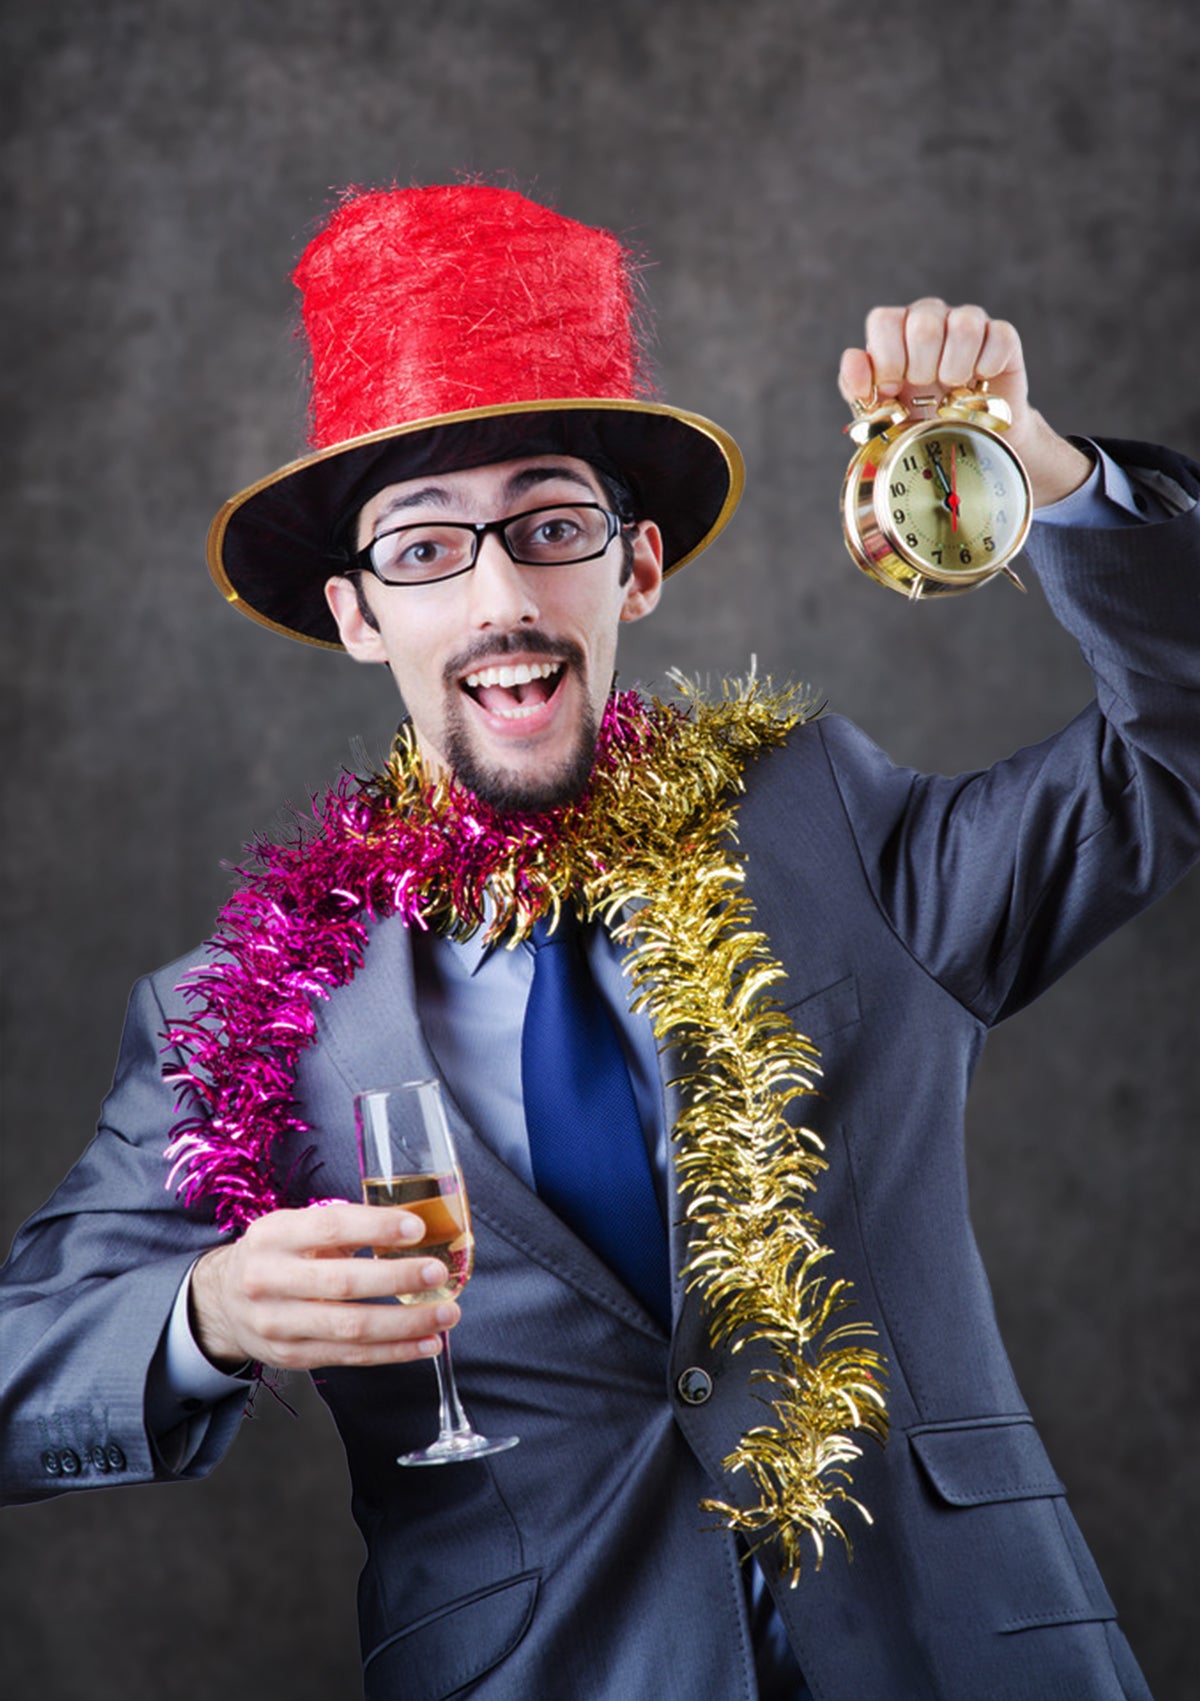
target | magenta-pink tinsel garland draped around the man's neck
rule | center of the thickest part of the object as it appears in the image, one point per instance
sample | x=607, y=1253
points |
x=299, y=930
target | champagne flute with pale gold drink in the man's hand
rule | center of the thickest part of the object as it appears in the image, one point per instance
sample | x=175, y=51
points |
x=408, y=1161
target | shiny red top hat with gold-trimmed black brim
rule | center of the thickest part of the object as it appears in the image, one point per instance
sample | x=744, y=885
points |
x=452, y=327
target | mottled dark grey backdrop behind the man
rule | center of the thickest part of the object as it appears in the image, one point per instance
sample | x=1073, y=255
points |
x=787, y=164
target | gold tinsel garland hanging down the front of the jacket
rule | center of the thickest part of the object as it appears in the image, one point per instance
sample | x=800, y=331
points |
x=653, y=853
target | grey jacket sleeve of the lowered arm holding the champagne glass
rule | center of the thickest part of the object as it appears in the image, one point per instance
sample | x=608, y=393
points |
x=89, y=1289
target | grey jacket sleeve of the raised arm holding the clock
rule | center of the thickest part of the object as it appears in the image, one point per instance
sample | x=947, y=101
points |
x=1000, y=880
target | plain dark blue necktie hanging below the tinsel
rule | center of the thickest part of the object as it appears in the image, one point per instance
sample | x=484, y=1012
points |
x=586, y=1144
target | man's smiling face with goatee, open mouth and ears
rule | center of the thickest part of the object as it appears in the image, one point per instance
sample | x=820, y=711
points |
x=505, y=669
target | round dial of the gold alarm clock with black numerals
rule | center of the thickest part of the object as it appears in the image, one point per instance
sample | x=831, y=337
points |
x=952, y=499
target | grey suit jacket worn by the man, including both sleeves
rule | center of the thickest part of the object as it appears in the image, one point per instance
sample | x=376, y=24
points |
x=910, y=914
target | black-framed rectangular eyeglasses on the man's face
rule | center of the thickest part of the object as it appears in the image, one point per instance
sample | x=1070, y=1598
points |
x=421, y=555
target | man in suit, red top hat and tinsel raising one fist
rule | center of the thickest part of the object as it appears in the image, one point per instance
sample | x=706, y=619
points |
x=486, y=506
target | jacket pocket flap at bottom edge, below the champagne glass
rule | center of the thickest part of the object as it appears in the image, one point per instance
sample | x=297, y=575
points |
x=454, y=1647
